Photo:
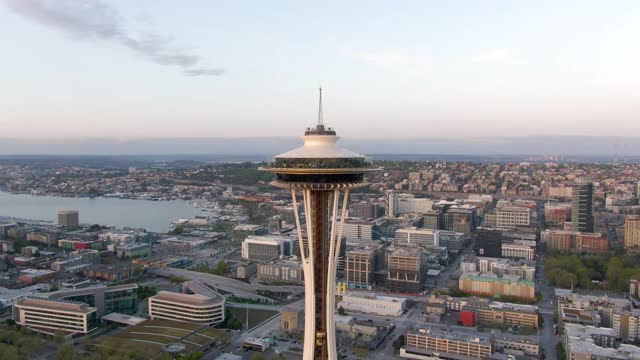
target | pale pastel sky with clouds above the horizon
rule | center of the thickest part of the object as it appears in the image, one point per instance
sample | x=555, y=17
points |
x=126, y=69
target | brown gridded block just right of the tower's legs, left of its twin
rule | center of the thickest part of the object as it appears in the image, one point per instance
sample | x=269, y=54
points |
x=361, y=263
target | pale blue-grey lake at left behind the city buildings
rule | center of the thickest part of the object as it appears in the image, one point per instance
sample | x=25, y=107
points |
x=152, y=215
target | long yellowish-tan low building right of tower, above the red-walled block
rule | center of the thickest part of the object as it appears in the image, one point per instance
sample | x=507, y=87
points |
x=494, y=285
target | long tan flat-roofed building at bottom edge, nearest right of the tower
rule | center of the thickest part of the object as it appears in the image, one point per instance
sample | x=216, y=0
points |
x=436, y=343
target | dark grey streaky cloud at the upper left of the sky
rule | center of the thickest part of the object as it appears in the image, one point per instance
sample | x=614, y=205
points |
x=93, y=20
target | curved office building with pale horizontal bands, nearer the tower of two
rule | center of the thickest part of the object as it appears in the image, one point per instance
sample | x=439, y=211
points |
x=197, y=304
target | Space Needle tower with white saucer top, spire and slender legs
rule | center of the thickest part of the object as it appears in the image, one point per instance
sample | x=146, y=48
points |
x=324, y=173
